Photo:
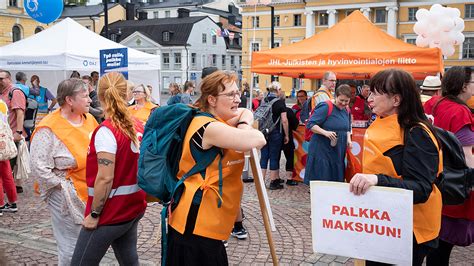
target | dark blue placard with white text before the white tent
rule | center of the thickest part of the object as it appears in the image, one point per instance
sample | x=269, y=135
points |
x=114, y=60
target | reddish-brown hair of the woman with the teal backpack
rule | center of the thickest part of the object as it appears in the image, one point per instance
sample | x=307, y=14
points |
x=213, y=84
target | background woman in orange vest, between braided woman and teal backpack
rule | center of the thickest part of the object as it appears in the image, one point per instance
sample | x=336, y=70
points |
x=143, y=105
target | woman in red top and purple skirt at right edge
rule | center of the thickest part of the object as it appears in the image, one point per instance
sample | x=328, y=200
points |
x=451, y=113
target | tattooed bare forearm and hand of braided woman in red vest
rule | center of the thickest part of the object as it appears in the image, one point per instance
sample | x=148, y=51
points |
x=102, y=186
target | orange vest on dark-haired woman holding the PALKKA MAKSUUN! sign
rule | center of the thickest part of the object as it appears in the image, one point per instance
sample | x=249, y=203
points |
x=382, y=135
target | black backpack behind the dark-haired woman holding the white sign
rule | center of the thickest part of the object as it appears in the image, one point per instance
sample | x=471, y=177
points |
x=455, y=182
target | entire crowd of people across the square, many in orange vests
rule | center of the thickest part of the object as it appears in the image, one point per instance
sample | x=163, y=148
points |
x=84, y=155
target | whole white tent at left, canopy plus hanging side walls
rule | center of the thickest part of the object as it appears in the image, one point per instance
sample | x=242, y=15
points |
x=54, y=53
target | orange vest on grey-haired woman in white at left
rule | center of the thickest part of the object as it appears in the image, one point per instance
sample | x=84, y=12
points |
x=77, y=141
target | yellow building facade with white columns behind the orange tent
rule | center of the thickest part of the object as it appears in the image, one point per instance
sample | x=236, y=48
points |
x=296, y=20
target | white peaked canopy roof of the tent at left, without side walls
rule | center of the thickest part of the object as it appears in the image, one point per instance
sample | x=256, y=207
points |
x=67, y=46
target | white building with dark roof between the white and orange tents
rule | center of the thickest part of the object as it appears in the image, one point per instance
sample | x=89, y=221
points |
x=185, y=45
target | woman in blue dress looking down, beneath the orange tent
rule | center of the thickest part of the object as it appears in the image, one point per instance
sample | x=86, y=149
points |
x=327, y=148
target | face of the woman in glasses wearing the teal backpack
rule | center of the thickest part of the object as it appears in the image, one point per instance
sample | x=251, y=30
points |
x=226, y=104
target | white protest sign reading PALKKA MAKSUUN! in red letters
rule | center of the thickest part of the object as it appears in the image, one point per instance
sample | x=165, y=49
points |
x=377, y=226
